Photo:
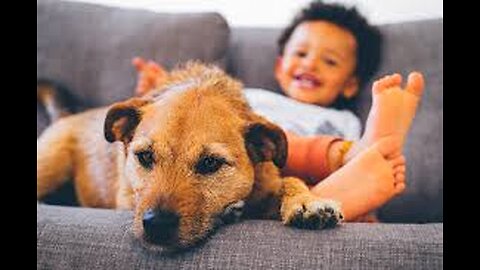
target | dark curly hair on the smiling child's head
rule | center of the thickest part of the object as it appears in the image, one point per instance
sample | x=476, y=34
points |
x=368, y=37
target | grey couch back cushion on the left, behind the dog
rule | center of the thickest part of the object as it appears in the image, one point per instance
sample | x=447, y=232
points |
x=89, y=47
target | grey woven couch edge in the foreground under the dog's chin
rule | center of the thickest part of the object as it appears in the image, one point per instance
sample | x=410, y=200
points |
x=82, y=238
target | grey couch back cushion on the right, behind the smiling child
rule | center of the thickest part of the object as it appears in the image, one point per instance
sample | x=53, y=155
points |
x=408, y=46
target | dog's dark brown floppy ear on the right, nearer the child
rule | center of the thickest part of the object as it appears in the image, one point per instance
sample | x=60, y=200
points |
x=266, y=142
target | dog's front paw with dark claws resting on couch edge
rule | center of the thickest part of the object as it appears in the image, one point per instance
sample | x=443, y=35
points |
x=313, y=214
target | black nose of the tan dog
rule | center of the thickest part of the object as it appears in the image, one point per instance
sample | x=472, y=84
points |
x=160, y=225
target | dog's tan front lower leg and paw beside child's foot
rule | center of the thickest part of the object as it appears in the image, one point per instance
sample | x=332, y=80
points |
x=301, y=209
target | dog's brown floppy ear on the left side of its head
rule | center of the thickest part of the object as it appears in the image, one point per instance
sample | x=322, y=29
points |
x=122, y=119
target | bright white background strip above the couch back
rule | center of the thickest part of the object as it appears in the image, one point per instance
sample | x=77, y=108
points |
x=277, y=13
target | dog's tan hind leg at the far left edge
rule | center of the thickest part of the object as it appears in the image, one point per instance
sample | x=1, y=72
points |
x=54, y=158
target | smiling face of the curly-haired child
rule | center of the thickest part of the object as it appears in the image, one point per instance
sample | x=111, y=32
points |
x=318, y=63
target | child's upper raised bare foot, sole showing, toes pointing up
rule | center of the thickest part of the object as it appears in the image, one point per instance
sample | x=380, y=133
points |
x=392, y=112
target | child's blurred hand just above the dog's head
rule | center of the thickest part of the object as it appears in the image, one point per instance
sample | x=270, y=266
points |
x=150, y=74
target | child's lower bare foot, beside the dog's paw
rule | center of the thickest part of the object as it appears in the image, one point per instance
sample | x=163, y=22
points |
x=368, y=181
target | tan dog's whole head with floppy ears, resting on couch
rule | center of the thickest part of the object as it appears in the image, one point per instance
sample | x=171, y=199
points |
x=191, y=150
